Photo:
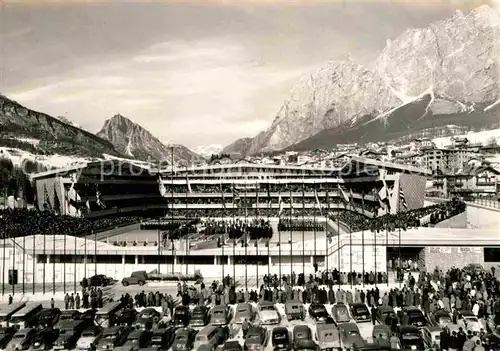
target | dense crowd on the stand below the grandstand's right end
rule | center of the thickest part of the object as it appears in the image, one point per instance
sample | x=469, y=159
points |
x=403, y=219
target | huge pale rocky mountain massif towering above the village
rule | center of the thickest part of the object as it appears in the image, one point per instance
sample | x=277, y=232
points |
x=423, y=78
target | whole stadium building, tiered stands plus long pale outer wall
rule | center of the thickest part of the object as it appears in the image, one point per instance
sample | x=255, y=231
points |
x=238, y=192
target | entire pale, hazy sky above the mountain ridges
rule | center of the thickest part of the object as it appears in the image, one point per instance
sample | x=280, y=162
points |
x=194, y=73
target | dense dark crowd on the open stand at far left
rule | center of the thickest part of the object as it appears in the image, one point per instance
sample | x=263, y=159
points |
x=22, y=222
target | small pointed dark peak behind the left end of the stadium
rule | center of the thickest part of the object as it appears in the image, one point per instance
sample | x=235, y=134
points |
x=134, y=141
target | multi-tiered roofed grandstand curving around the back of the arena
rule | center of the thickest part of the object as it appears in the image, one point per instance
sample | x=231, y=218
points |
x=116, y=188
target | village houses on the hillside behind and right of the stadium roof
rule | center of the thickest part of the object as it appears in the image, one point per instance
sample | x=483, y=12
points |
x=465, y=169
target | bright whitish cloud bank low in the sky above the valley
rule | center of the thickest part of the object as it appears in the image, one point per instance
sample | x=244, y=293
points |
x=188, y=92
